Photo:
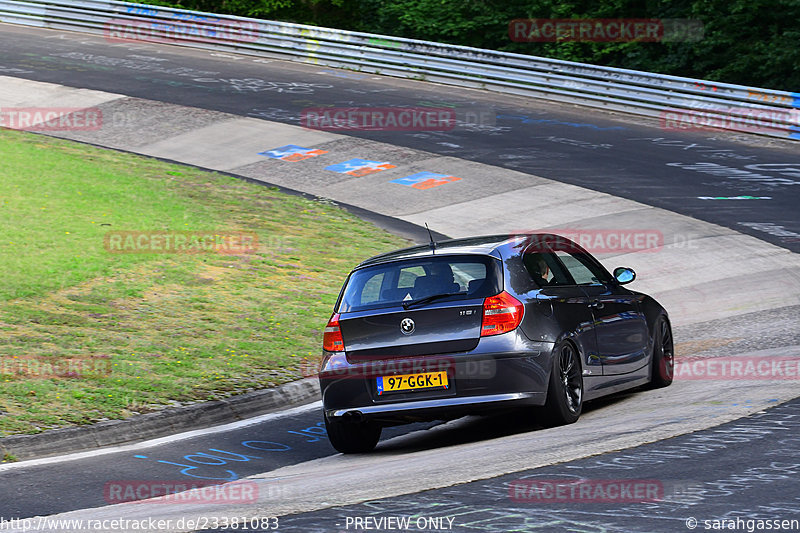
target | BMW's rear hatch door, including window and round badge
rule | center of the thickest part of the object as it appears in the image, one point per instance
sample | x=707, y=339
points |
x=415, y=307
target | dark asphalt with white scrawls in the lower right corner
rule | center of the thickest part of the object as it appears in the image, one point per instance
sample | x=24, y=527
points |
x=745, y=469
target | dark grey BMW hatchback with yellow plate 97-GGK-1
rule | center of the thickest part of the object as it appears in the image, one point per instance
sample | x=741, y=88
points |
x=477, y=325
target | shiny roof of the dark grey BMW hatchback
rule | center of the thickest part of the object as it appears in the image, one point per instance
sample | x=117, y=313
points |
x=481, y=245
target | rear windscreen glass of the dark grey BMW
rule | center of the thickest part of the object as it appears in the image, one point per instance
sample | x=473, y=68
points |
x=392, y=284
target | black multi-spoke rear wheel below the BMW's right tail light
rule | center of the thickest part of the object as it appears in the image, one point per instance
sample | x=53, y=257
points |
x=565, y=390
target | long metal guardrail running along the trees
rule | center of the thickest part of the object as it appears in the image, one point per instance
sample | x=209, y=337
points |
x=680, y=103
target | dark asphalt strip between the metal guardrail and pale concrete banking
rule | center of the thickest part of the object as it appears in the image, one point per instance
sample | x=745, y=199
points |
x=582, y=147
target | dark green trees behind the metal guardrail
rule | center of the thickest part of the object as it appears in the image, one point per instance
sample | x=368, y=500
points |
x=750, y=42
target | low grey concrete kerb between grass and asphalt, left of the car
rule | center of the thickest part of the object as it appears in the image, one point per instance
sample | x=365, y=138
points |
x=161, y=423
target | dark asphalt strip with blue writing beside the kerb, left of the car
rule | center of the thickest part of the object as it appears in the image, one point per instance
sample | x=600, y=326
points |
x=282, y=439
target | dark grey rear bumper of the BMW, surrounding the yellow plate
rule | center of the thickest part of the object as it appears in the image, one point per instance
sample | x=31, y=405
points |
x=503, y=372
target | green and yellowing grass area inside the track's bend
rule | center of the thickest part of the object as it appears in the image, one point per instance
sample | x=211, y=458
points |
x=88, y=335
